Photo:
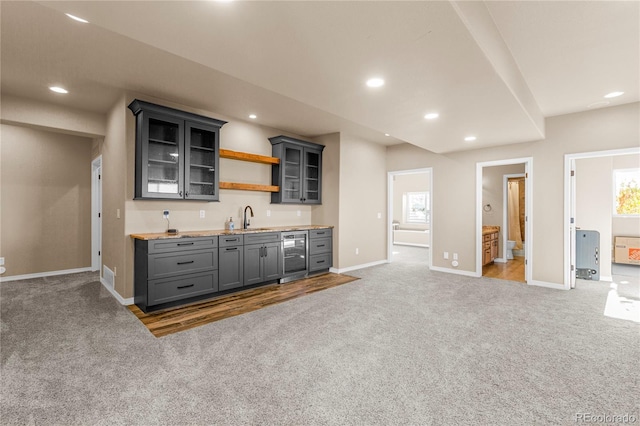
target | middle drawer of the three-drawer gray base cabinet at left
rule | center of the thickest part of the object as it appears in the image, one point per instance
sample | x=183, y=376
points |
x=166, y=265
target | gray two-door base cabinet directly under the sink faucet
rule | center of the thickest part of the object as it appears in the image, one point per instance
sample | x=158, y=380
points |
x=262, y=258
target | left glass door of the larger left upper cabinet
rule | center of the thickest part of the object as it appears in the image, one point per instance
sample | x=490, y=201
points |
x=162, y=176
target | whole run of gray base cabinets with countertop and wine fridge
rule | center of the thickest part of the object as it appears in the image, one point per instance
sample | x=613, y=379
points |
x=172, y=270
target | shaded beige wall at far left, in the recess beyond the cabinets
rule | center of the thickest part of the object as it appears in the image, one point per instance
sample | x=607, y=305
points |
x=46, y=200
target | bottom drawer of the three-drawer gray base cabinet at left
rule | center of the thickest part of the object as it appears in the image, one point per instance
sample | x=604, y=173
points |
x=169, y=290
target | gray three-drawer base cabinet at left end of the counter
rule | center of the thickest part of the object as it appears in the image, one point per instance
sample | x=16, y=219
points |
x=172, y=270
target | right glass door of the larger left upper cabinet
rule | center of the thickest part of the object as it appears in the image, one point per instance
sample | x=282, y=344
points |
x=201, y=163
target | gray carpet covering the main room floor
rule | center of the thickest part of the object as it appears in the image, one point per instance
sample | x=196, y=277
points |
x=403, y=346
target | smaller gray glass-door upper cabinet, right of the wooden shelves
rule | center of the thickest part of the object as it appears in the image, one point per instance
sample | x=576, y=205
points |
x=299, y=174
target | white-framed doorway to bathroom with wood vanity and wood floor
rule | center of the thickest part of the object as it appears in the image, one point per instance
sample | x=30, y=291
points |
x=504, y=220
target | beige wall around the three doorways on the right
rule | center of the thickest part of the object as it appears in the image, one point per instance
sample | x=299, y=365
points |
x=454, y=193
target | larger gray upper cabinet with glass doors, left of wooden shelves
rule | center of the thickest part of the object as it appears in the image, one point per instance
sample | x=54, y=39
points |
x=177, y=153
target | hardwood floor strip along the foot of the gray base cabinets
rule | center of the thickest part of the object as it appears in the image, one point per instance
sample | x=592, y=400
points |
x=163, y=323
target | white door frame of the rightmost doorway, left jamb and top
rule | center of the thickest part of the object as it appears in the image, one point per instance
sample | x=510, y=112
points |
x=570, y=206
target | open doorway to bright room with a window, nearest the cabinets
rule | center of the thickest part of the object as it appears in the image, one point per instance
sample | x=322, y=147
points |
x=410, y=219
